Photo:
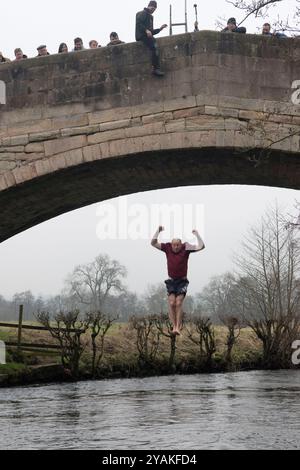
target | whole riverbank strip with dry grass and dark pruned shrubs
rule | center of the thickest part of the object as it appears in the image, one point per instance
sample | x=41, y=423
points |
x=143, y=347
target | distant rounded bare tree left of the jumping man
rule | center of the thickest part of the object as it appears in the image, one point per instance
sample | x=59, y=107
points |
x=91, y=284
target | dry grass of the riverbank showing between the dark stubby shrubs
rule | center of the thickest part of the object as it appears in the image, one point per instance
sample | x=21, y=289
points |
x=121, y=358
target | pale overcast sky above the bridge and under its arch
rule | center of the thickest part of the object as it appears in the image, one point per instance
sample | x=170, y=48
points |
x=40, y=259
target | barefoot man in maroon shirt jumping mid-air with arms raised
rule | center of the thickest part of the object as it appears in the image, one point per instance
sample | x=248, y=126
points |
x=177, y=254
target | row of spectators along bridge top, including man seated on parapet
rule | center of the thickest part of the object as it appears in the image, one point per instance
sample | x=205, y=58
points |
x=145, y=33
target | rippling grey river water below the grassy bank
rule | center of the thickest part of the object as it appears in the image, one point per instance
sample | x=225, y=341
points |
x=250, y=410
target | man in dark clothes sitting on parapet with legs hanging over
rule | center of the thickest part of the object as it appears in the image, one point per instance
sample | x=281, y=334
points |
x=144, y=32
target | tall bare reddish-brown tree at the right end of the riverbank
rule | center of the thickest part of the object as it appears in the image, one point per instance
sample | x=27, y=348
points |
x=270, y=287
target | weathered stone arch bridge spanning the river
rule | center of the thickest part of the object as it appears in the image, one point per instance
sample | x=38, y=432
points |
x=88, y=126
